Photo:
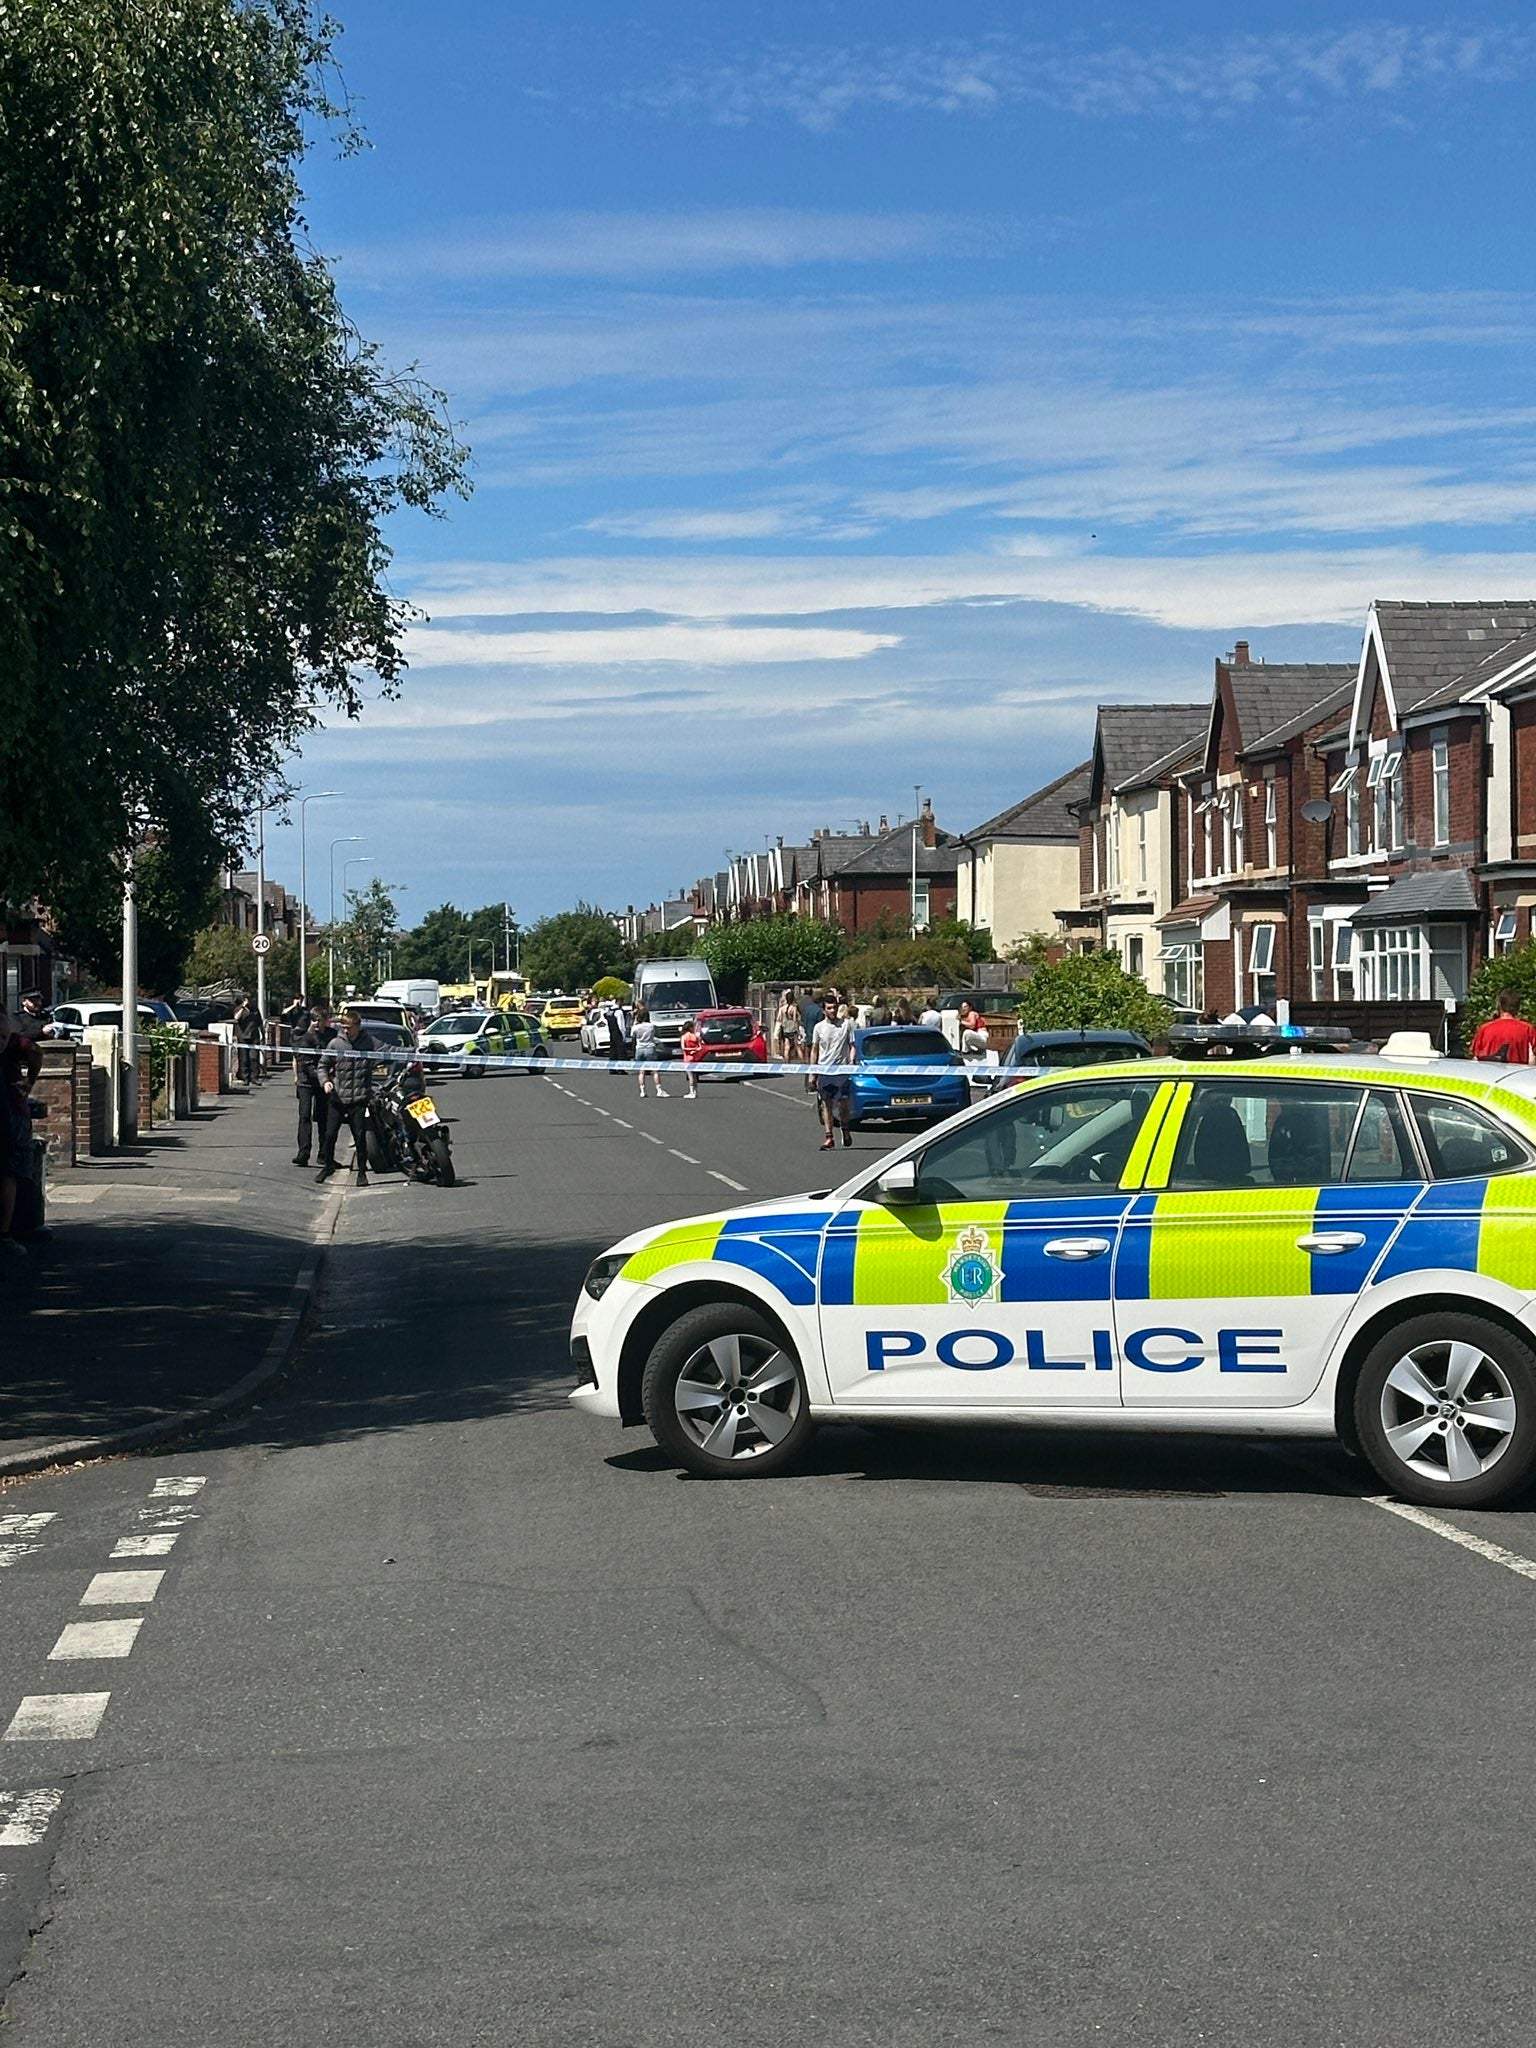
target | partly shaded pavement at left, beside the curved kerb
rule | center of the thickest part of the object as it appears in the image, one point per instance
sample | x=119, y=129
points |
x=177, y=1273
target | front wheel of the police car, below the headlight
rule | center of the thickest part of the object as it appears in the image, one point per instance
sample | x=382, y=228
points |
x=726, y=1396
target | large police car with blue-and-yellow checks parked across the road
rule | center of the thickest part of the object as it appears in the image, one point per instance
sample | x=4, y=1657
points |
x=1291, y=1246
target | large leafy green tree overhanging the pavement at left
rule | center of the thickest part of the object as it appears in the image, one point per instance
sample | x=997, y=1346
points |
x=198, y=450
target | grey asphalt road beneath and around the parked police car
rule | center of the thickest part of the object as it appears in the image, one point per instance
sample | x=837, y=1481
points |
x=460, y=1719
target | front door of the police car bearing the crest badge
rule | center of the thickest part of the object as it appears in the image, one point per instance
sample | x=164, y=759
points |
x=994, y=1287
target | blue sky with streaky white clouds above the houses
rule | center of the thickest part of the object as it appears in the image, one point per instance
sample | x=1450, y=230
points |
x=861, y=394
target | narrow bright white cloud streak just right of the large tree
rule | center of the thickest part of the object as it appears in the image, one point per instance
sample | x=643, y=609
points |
x=695, y=646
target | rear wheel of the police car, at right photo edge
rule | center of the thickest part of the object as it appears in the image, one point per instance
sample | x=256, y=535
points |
x=1447, y=1412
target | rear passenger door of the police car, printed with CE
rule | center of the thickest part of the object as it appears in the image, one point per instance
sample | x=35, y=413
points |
x=1271, y=1203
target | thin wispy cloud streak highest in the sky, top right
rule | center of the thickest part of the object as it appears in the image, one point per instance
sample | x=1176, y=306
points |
x=1199, y=81
